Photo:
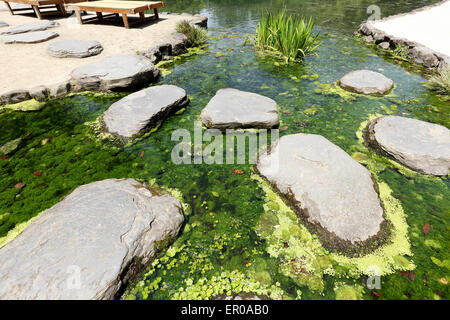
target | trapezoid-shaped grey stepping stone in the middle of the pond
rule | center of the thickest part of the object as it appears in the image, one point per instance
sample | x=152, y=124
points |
x=232, y=108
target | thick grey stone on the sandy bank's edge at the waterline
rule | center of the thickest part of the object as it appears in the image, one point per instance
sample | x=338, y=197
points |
x=116, y=72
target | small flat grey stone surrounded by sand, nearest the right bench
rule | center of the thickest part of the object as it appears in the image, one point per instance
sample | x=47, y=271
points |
x=74, y=48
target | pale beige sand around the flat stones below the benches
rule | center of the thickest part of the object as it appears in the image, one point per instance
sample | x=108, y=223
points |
x=23, y=66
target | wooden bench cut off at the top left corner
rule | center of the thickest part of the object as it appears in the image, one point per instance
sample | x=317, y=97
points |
x=38, y=5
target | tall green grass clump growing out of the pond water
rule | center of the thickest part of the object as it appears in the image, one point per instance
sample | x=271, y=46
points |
x=287, y=36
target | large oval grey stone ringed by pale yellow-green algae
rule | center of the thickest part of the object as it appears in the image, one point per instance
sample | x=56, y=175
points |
x=325, y=185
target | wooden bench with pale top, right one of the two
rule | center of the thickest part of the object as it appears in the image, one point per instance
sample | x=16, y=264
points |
x=116, y=7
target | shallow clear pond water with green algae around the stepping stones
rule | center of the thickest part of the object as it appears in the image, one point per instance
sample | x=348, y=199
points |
x=221, y=234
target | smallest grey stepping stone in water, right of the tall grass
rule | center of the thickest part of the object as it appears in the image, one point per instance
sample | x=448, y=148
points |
x=366, y=82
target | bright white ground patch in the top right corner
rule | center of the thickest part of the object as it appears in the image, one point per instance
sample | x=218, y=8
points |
x=430, y=27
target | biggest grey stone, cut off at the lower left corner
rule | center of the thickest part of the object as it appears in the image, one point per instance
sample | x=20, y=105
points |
x=89, y=245
